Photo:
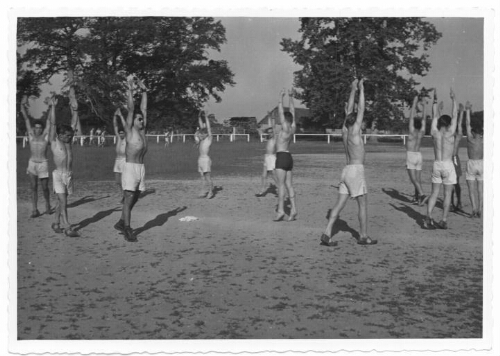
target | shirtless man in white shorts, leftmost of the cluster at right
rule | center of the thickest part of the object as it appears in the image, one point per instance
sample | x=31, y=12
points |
x=413, y=154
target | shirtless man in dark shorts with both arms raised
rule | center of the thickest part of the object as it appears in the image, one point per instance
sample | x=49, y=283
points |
x=284, y=160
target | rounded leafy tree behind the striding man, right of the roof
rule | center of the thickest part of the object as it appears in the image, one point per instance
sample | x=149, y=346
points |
x=389, y=52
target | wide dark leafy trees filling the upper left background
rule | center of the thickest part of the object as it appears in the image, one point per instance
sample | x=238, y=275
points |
x=170, y=54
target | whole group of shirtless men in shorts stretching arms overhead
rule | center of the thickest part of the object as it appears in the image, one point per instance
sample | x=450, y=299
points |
x=131, y=147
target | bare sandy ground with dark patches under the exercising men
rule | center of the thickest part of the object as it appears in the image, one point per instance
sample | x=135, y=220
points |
x=236, y=274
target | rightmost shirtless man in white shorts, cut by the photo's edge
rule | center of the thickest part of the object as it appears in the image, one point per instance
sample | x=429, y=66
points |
x=474, y=171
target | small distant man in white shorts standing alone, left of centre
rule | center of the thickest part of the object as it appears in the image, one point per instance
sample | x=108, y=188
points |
x=203, y=138
